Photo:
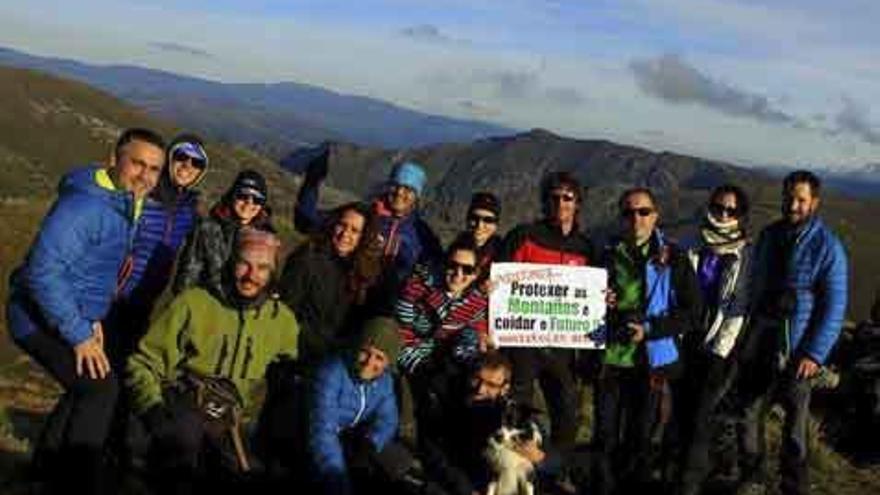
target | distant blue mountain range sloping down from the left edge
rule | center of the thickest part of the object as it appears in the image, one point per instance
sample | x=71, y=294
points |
x=271, y=118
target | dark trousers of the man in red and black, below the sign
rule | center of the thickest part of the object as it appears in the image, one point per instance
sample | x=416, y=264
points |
x=553, y=370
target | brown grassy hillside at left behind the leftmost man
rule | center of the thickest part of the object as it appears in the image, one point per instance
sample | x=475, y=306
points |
x=48, y=125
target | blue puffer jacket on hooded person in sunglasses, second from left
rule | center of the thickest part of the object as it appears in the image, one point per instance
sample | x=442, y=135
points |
x=160, y=233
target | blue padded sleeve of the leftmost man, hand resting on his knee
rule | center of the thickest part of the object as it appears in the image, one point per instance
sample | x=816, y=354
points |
x=63, y=239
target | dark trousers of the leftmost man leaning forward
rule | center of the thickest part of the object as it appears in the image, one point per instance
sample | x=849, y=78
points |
x=71, y=445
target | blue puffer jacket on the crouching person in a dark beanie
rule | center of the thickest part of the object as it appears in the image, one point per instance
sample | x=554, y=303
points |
x=339, y=402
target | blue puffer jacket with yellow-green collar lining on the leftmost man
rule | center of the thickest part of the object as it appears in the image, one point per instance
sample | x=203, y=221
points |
x=69, y=276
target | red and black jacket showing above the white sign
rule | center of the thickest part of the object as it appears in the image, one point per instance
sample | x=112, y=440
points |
x=544, y=242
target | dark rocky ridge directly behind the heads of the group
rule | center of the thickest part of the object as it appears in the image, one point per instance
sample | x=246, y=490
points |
x=512, y=166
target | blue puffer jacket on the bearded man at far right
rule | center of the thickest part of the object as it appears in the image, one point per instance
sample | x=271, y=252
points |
x=817, y=275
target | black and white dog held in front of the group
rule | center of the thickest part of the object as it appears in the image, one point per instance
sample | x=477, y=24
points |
x=512, y=471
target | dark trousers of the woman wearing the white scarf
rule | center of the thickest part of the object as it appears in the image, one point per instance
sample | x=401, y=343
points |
x=707, y=381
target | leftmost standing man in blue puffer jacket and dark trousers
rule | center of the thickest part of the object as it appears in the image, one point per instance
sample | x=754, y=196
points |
x=61, y=293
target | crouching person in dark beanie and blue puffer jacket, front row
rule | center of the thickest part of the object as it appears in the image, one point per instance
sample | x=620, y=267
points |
x=353, y=415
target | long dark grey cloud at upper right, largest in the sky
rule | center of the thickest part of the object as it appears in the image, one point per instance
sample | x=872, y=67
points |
x=673, y=80
